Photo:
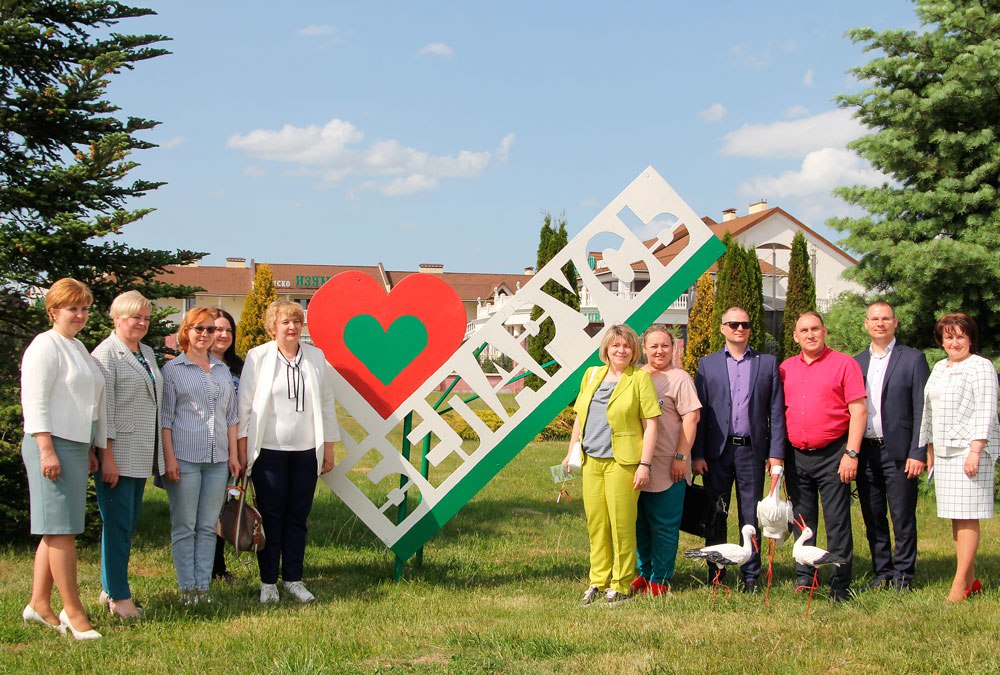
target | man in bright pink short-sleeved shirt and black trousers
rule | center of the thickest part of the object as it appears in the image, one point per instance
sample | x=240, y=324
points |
x=825, y=418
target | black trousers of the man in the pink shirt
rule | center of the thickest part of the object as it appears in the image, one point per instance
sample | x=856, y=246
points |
x=814, y=479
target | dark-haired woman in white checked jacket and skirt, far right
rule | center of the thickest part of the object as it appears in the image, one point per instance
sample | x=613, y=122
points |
x=959, y=426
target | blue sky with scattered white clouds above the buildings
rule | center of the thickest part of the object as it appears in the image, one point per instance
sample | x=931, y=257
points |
x=409, y=132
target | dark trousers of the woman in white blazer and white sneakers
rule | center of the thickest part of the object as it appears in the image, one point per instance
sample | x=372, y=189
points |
x=284, y=482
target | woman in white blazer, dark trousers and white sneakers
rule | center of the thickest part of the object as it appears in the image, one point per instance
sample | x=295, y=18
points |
x=288, y=428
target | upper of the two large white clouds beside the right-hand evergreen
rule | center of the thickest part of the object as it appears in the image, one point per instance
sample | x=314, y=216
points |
x=835, y=128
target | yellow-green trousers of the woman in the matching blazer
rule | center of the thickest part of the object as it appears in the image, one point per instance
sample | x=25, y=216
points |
x=610, y=502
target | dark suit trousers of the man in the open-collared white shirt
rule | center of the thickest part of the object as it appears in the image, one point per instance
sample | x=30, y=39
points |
x=884, y=488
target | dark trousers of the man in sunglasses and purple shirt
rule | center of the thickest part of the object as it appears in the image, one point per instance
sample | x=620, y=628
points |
x=736, y=464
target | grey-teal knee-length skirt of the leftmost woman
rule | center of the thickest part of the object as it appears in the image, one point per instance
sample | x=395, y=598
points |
x=57, y=506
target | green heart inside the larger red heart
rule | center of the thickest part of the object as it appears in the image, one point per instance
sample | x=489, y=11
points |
x=386, y=353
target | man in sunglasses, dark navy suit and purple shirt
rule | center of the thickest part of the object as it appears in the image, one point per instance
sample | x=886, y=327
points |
x=742, y=428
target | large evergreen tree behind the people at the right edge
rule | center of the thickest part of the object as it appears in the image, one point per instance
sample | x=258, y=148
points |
x=929, y=240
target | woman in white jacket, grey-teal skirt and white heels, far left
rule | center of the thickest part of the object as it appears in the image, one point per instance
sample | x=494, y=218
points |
x=62, y=396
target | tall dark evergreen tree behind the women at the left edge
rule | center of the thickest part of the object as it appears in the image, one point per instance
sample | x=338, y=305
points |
x=65, y=159
